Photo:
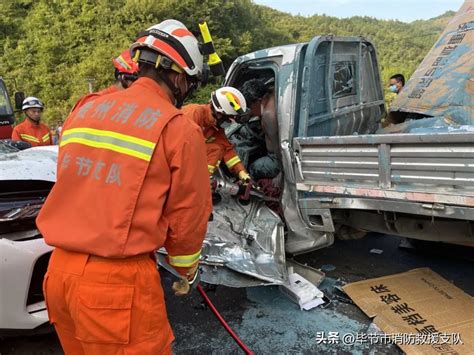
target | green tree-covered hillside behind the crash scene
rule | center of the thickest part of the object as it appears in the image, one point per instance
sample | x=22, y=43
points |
x=49, y=48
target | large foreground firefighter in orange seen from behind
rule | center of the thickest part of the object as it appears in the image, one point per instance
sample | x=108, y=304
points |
x=129, y=182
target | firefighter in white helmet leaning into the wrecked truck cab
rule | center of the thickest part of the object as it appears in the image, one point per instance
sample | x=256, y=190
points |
x=226, y=103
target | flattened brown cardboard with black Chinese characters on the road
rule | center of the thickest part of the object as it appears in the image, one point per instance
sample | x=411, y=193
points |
x=419, y=302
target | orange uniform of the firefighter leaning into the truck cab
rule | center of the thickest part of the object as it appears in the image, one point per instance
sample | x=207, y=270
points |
x=218, y=146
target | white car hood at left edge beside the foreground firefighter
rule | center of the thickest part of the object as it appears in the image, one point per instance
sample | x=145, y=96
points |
x=37, y=163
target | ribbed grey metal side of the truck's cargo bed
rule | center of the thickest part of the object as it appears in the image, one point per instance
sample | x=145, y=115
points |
x=435, y=169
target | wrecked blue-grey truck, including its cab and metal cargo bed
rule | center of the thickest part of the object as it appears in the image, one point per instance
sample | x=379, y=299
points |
x=340, y=169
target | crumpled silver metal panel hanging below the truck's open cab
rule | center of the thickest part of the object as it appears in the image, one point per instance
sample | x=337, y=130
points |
x=244, y=244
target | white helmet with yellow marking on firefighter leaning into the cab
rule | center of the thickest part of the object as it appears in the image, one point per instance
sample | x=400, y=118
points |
x=229, y=101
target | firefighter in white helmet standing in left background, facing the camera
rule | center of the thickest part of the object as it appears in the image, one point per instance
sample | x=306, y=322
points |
x=31, y=130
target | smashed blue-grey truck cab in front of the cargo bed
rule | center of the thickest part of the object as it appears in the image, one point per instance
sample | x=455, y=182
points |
x=329, y=87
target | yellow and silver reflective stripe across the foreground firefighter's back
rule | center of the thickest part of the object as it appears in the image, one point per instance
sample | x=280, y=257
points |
x=117, y=142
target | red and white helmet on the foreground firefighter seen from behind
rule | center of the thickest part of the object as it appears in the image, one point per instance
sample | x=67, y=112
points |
x=173, y=40
